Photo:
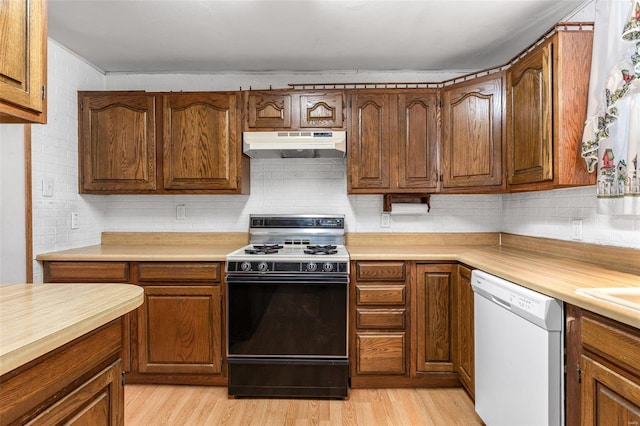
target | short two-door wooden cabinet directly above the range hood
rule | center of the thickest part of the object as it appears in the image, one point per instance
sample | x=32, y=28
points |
x=294, y=110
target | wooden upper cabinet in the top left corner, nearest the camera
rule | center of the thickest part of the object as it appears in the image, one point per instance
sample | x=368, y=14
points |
x=23, y=62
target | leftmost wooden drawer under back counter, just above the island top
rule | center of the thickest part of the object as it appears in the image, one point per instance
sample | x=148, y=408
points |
x=90, y=272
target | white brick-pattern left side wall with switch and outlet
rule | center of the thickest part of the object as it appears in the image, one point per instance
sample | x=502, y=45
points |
x=55, y=157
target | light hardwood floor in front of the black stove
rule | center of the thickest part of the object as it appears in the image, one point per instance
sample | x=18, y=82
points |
x=207, y=405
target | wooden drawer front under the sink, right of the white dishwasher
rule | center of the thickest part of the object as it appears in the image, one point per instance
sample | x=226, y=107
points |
x=612, y=340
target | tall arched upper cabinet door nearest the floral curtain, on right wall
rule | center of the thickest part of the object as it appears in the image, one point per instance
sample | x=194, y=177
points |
x=529, y=118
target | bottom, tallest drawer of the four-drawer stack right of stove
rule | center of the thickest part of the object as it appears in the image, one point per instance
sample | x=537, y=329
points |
x=380, y=353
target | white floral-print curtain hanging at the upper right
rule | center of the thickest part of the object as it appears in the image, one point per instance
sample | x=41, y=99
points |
x=611, y=138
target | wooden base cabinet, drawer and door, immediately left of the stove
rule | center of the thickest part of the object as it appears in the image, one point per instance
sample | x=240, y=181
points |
x=180, y=322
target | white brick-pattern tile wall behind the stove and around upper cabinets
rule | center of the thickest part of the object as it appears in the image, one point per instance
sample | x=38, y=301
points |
x=291, y=186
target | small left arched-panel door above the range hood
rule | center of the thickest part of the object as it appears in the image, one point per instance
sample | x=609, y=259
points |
x=269, y=110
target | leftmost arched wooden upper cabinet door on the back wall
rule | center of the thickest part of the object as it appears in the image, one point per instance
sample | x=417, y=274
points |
x=117, y=142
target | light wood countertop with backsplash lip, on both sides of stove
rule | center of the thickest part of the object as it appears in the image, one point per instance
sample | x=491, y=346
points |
x=553, y=267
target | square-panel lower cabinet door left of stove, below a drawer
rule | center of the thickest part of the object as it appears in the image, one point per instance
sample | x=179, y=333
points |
x=179, y=330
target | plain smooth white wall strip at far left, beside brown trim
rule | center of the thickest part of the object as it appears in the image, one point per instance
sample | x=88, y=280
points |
x=12, y=206
